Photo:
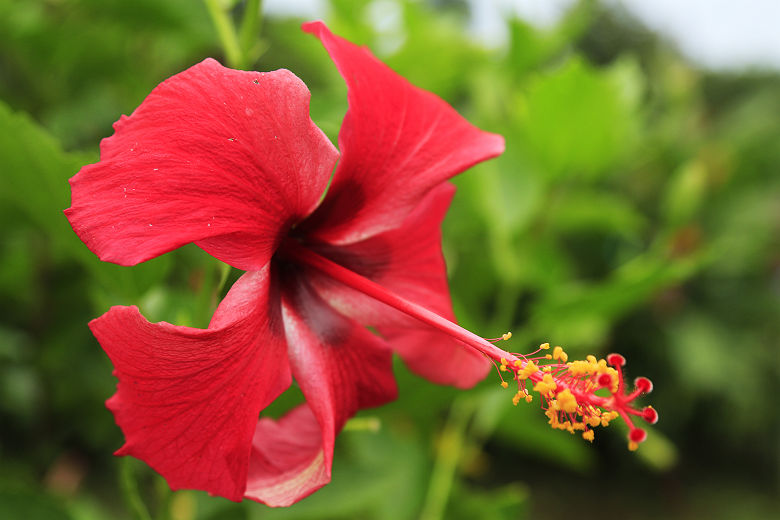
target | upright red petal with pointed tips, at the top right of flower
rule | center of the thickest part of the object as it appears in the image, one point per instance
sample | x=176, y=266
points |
x=397, y=141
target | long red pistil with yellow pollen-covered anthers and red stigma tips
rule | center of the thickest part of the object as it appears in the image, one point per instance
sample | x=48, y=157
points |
x=568, y=389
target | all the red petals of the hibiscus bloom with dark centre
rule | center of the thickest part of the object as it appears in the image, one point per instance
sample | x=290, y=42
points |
x=231, y=161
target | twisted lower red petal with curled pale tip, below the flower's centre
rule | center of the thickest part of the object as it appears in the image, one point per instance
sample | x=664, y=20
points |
x=341, y=367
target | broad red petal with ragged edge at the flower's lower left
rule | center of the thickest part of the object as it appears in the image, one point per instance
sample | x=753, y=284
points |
x=188, y=399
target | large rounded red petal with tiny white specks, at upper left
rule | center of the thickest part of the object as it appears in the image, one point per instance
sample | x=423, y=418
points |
x=228, y=159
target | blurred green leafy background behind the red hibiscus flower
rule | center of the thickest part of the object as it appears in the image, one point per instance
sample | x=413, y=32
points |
x=635, y=210
